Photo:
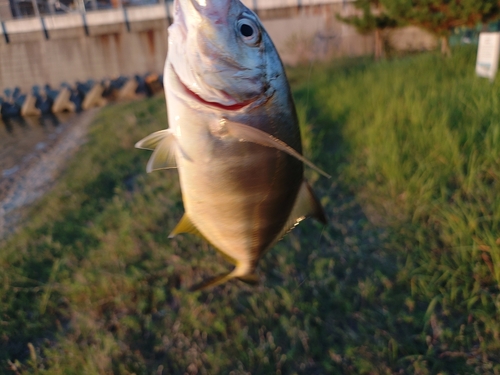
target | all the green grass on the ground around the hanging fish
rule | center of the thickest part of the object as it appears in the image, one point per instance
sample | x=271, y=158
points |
x=404, y=280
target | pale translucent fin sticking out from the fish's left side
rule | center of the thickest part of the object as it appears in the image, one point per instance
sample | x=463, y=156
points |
x=163, y=143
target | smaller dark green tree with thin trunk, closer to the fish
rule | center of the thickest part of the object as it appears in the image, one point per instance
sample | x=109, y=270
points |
x=374, y=19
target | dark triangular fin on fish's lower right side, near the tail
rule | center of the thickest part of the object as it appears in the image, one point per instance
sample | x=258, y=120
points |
x=306, y=205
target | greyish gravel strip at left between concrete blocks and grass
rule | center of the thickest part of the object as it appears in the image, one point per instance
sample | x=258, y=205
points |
x=30, y=164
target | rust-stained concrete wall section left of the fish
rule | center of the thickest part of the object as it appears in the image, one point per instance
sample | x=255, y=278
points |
x=69, y=54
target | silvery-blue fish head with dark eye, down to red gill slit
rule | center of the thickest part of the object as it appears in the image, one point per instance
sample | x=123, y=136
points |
x=221, y=54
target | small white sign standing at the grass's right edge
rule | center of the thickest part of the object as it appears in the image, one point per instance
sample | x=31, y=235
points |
x=487, y=55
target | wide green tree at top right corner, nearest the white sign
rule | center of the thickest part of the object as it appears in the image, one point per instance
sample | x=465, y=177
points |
x=440, y=17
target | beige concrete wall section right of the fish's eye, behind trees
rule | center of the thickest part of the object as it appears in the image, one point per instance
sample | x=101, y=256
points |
x=314, y=33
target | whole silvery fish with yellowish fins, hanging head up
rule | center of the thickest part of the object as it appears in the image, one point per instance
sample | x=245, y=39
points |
x=233, y=135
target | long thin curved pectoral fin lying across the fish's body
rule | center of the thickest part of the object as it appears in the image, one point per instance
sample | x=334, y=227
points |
x=250, y=134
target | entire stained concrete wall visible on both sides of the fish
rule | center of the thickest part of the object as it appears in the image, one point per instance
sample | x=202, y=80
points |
x=113, y=43
